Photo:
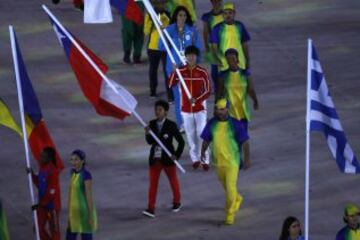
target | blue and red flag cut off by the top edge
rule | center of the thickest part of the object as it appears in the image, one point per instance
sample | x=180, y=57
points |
x=129, y=9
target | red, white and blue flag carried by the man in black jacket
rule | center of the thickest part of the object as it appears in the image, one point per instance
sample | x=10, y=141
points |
x=106, y=100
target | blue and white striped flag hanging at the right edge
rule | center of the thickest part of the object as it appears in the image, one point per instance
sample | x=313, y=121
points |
x=323, y=118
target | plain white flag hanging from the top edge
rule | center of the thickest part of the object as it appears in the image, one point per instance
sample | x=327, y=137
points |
x=97, y=11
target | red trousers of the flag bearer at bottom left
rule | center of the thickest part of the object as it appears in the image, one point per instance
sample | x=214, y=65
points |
x=48, y=221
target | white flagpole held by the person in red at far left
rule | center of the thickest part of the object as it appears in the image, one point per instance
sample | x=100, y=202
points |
x=21, y=107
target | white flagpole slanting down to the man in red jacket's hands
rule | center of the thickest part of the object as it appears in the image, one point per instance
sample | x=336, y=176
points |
x=155, y=21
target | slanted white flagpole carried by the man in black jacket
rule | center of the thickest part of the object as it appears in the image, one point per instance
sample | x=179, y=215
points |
x=109, y=83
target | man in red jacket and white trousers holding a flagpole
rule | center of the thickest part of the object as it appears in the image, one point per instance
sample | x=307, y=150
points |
x=193, y=111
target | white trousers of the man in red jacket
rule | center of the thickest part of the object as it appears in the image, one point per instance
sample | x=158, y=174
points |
x=194, y=124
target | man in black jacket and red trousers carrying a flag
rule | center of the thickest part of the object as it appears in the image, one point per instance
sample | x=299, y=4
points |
x=166, y=130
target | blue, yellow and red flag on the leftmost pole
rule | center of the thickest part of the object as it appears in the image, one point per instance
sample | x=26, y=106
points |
x=38, y=135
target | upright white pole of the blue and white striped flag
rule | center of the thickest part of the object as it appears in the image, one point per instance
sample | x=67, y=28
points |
x=307, y=163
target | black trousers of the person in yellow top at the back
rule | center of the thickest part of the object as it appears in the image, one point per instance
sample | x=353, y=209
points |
x=155, y=56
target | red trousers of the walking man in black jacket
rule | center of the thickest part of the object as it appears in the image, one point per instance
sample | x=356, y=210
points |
x=154, y=174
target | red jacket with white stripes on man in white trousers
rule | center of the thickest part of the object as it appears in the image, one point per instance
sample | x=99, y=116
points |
x=198, y=83
